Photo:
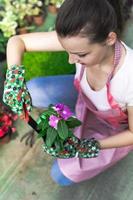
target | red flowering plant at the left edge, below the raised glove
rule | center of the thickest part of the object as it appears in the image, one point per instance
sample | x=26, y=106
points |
x=6, y=124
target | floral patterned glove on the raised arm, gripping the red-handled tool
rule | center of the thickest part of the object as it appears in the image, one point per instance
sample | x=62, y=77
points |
x=16, y=94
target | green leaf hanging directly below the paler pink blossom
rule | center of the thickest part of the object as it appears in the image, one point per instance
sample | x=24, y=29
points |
x=51, y=136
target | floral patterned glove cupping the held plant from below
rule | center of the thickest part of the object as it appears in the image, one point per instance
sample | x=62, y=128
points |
x=73, y=147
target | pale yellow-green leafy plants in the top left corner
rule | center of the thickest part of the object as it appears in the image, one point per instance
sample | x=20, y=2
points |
x=13, y=14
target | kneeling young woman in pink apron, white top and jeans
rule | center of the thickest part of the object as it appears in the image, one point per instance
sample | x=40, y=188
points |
x=88, y=31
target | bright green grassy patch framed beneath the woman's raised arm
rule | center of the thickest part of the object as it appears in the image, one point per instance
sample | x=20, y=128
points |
x=46, y=64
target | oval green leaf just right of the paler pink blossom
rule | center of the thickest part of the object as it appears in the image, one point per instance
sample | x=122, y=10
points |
x=62, y=129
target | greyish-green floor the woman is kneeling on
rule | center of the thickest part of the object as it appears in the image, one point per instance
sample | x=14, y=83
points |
x=25, y=171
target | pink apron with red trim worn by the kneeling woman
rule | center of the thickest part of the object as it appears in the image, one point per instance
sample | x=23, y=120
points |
x=98, y=124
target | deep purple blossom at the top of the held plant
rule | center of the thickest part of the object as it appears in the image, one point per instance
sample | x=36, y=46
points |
x=63, y=111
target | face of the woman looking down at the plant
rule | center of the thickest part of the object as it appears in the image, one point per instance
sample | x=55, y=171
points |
x=81, y=51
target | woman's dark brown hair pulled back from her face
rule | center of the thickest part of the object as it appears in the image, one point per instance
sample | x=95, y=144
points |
x=91, y=18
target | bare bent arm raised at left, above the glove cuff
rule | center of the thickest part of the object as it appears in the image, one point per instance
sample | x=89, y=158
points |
x=41, y=41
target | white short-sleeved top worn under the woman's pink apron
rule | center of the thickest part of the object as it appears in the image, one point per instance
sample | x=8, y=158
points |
x=121, y=85
